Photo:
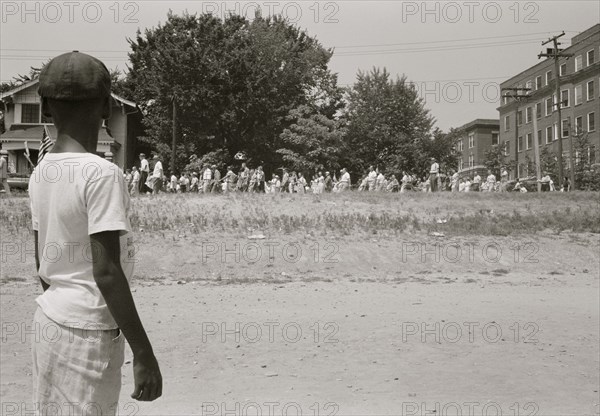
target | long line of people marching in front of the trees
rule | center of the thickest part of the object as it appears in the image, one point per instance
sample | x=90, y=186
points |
x=209, y=180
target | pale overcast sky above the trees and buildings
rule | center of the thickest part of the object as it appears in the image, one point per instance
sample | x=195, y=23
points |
x=457, y=53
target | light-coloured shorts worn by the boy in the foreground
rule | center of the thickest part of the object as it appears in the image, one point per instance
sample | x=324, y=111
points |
x=75, y=371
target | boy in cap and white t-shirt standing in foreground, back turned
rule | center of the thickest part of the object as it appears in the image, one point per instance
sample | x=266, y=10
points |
x=84, y=254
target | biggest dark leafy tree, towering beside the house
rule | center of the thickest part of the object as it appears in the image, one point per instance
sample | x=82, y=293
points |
x=233, y=81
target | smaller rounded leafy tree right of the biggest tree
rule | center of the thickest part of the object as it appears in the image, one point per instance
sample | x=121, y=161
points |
x=388, y=123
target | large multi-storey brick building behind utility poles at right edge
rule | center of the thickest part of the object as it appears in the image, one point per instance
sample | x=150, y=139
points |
x=580, y=94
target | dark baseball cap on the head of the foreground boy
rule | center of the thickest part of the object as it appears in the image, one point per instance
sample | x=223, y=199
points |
x=74, y=76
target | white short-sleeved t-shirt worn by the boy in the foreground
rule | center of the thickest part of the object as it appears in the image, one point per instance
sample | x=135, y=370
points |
x=74, y=195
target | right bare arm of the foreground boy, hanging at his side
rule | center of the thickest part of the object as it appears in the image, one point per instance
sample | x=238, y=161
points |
x=113, y=285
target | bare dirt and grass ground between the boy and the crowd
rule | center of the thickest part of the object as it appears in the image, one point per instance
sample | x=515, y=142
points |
x=348, y=304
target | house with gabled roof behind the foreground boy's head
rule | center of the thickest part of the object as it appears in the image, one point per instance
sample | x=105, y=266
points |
x=25, y=125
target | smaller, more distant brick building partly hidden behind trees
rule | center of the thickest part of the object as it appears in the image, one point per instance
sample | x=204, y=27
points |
x=477, y=137
